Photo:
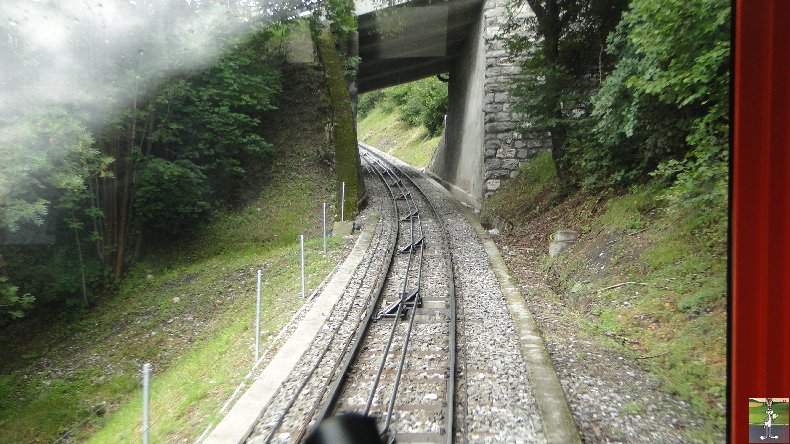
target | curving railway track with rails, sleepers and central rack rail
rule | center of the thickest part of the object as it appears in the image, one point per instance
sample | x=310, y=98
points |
x=389, y=348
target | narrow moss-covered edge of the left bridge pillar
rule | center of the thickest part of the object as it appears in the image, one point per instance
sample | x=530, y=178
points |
x=347, y=162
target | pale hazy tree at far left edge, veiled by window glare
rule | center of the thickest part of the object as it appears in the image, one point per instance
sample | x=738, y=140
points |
x=52, y=170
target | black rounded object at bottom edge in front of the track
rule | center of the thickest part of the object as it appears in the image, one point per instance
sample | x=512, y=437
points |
x=348, y=428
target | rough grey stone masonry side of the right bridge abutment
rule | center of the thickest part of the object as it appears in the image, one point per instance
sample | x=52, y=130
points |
x=505, y=149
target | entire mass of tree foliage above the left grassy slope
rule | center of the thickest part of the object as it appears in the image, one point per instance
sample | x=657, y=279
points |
x=78, y=204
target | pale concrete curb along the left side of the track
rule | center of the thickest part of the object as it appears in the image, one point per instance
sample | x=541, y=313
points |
x=237, y=425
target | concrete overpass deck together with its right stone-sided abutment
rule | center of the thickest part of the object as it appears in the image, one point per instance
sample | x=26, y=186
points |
x=421, y=38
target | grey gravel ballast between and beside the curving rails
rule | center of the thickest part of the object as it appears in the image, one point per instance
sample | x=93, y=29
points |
x=495, y=400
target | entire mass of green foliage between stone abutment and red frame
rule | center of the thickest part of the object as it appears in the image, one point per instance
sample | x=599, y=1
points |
x=630, y=90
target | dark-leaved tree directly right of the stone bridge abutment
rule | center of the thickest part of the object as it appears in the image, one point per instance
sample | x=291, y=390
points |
x=563, y=61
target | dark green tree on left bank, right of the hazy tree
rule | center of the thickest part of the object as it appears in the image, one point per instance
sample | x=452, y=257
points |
x=210, y=118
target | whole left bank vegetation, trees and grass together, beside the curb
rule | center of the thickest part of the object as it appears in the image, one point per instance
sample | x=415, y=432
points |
x=134, y=237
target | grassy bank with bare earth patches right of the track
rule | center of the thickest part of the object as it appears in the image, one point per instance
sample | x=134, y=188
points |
x=643, y=278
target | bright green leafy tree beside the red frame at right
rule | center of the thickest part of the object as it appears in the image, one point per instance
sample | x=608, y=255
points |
x=668, y=95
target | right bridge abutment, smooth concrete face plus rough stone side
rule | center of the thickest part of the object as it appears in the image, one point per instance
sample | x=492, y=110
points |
x=482, y=145
